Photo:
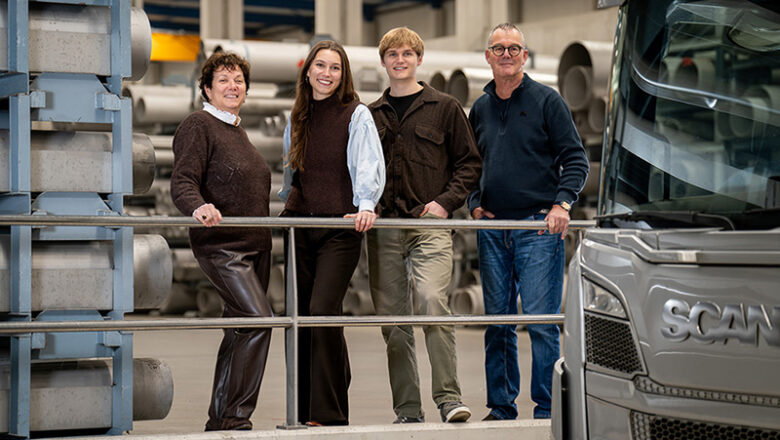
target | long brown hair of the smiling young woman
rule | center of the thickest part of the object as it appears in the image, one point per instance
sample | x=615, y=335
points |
x=301, y=113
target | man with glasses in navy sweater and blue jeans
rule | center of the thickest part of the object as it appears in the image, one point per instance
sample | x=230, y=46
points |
x=522, y=125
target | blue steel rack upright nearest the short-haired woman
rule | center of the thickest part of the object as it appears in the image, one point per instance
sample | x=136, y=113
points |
x=122, y=172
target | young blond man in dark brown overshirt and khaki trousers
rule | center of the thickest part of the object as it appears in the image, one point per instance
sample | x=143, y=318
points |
x=432, y=164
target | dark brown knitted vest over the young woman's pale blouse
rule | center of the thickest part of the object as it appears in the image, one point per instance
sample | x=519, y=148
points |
x=324, y=187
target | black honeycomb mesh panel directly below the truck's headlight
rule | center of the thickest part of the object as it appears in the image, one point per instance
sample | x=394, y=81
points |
x=609, y=344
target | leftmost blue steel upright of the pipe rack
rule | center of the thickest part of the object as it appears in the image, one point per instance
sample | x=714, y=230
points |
x=21, y=249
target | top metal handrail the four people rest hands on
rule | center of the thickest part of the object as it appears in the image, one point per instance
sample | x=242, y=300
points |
x=275, y=222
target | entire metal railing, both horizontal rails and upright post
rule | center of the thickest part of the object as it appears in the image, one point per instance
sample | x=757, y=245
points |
x=290, y=323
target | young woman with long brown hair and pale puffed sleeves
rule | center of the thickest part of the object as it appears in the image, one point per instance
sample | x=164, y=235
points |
x=334, y=167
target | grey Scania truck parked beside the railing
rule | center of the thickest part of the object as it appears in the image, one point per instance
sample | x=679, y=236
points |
x=672, y=324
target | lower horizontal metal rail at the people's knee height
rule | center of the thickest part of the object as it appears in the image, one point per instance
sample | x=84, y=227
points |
x=16, y=327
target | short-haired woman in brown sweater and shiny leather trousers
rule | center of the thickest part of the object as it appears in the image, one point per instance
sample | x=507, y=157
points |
x=216, y=172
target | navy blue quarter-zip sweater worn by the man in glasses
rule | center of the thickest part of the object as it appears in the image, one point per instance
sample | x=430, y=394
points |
x=532, y=156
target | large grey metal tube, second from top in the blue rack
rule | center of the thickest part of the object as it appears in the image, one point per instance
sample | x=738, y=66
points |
x=76, y=161
